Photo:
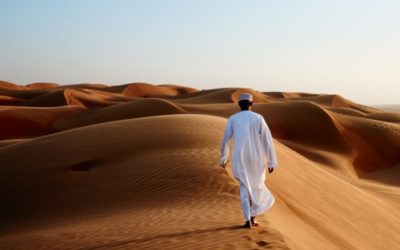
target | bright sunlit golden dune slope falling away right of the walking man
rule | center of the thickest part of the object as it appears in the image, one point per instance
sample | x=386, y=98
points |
x=320, y=210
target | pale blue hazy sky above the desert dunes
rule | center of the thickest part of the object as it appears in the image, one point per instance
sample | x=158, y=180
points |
x=345, y=47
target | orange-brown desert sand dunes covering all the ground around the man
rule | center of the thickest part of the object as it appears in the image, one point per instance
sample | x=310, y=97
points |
x=135, y=166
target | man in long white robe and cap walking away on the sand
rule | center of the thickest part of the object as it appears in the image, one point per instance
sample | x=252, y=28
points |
x=252, y=146
